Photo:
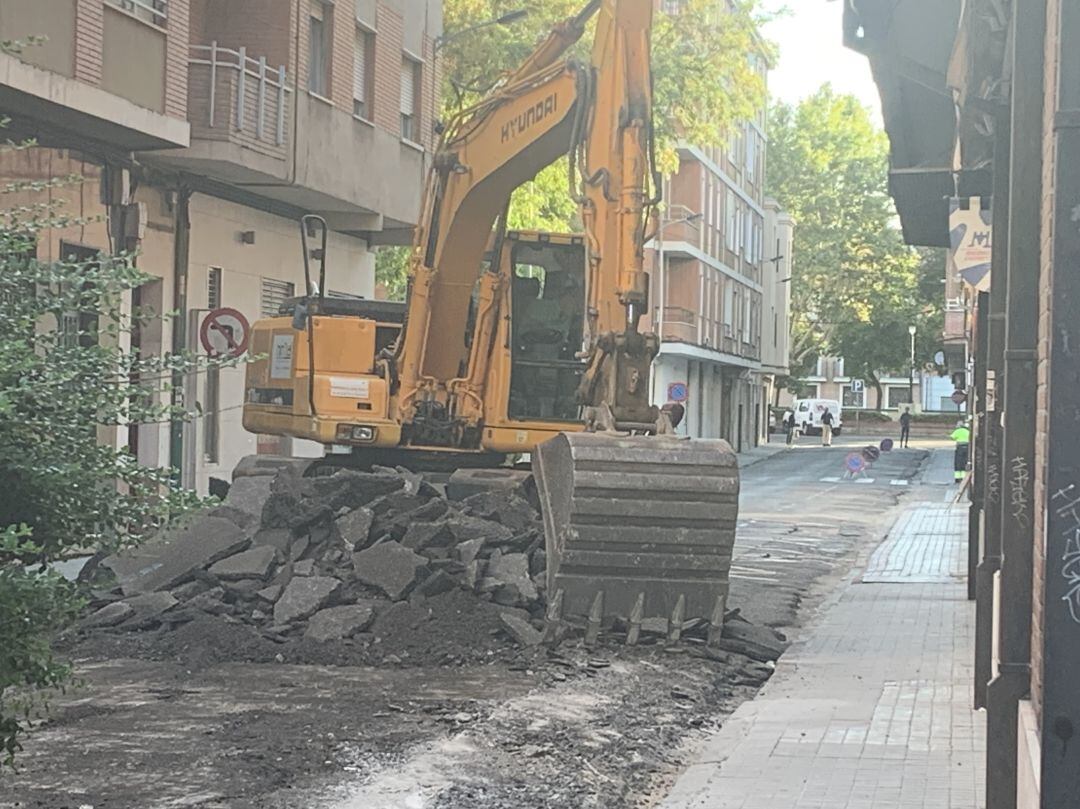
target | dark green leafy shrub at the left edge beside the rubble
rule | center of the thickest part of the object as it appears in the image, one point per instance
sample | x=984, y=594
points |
x=67, y=381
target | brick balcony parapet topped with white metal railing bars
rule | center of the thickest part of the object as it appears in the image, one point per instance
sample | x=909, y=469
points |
x=235, y=98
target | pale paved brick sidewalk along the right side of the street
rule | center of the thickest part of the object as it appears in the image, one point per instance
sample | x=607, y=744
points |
x=873, y=709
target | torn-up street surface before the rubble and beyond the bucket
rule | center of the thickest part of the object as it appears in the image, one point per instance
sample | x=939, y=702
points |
x=433, y=709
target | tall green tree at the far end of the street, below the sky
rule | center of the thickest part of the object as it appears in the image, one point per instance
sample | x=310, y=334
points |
x=856, y=286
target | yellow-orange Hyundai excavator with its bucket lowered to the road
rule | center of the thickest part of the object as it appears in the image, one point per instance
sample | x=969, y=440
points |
x=518, y=343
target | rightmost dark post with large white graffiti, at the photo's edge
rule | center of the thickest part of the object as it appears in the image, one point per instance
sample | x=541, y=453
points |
x=1060, y=657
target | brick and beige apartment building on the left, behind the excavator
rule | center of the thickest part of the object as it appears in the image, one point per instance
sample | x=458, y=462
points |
x=204, y=130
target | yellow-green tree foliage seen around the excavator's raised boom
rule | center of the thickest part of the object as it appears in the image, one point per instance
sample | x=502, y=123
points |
x=708, y=68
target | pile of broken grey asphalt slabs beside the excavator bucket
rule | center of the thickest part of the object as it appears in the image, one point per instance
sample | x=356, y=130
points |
x=329, y=558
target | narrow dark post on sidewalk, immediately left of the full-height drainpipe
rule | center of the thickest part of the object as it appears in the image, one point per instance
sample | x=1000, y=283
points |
x=992, y=435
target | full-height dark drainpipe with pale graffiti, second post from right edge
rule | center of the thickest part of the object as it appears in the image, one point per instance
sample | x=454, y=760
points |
x=1012, y=681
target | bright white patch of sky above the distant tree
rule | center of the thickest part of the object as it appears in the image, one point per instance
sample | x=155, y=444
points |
x=812, y=53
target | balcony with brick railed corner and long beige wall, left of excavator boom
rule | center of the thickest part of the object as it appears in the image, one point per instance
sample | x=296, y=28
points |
x=255, y=131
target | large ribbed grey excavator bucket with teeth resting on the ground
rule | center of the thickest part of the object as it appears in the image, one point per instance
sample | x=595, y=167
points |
x=638, y=528
